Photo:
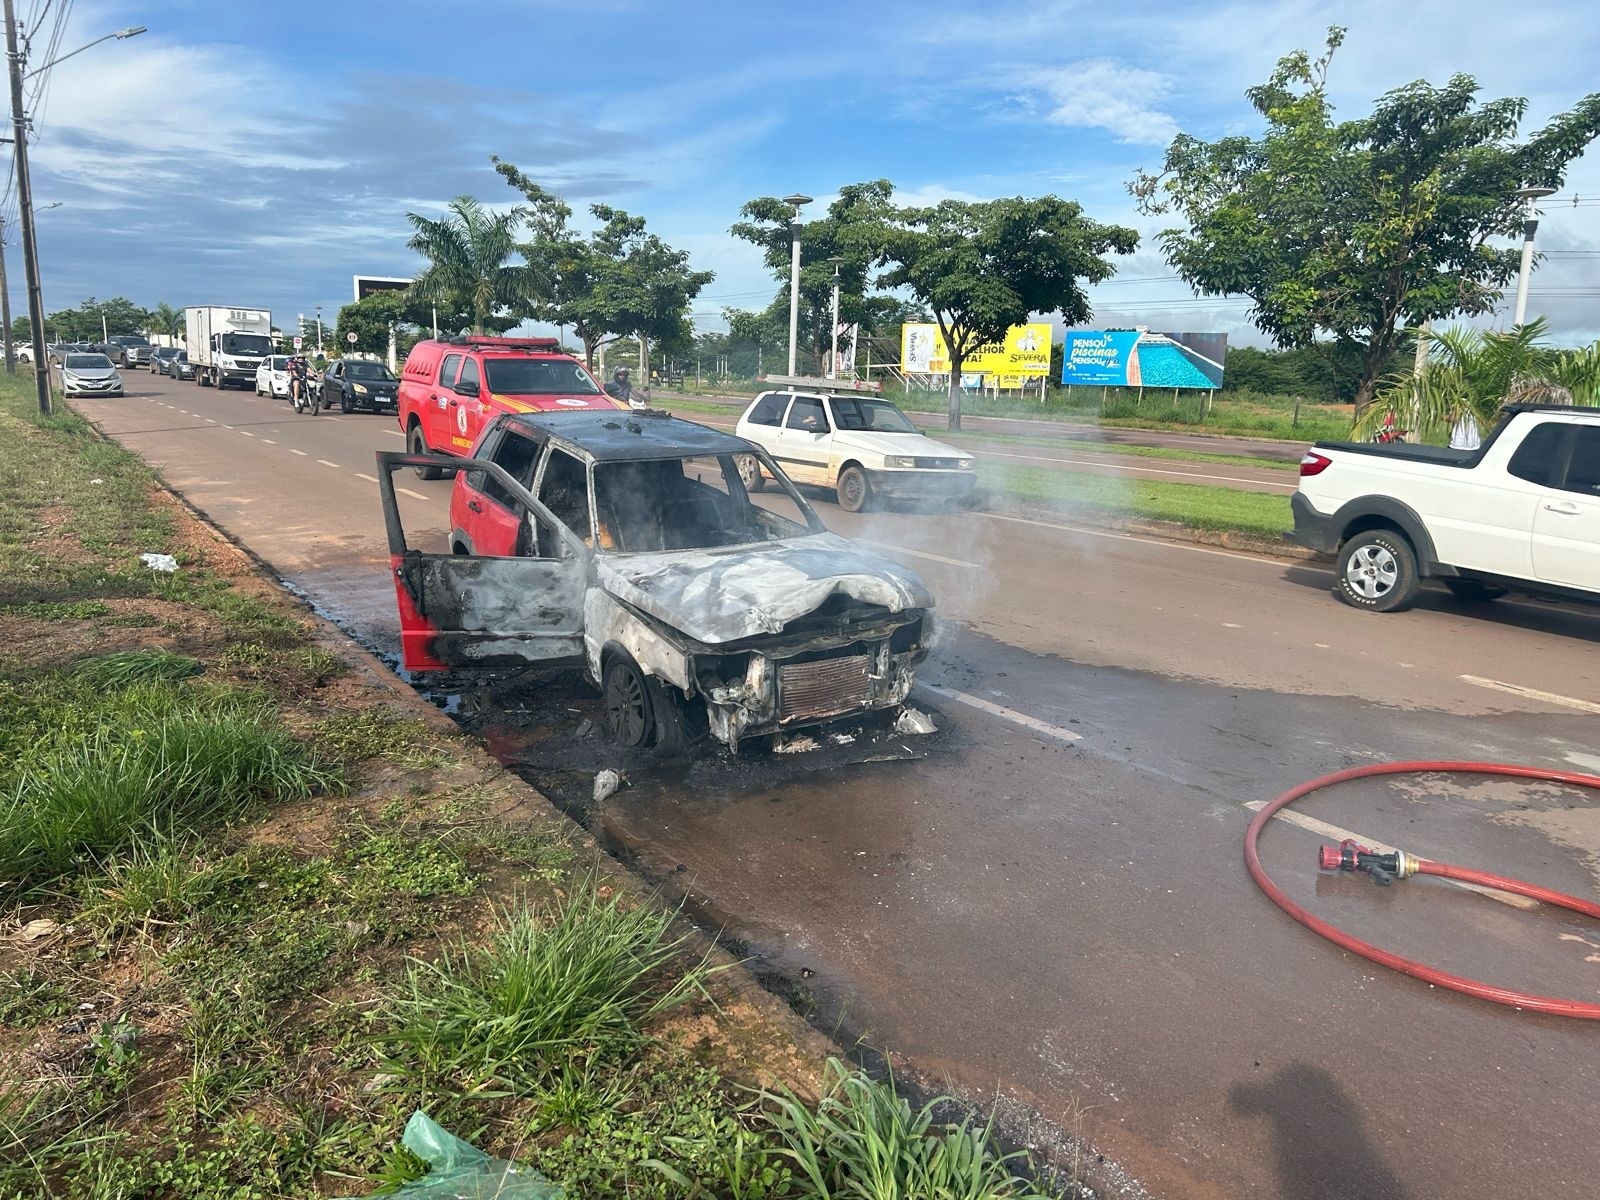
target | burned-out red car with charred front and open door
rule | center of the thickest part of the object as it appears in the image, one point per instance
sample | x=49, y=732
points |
x=628, y=546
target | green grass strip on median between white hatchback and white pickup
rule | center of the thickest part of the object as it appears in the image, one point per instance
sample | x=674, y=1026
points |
x=1191, y=505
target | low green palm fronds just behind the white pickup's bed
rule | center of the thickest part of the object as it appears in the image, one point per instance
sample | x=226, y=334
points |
x=1476, y=374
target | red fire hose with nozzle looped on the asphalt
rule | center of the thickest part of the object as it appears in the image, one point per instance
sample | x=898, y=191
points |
x=1399, y=865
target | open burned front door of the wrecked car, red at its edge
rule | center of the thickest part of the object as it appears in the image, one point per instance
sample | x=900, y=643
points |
x=465, y=610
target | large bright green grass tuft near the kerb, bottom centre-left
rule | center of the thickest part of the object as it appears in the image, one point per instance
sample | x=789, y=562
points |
x=582, y=978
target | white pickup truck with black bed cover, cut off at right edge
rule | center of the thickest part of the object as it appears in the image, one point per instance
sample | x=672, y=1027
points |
x=1522, y=513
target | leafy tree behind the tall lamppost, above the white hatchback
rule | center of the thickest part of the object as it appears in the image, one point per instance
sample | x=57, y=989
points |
x=846, y=233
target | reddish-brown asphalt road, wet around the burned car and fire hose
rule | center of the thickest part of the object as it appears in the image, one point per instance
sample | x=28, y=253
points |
x=1050, y=903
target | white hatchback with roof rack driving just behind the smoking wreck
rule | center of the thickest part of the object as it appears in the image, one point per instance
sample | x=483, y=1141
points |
x=858, y=446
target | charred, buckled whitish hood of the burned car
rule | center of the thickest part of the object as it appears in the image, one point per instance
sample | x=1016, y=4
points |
x=729, y=594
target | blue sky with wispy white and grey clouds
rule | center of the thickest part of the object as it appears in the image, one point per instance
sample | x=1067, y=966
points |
x=263, y=154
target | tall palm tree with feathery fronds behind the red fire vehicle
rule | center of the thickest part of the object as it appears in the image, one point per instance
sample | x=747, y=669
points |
x=466, y=254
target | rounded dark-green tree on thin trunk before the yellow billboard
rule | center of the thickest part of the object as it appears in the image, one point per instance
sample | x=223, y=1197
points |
x=983, y=268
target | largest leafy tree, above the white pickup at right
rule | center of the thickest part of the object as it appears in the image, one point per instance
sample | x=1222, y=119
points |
x=1358, y=230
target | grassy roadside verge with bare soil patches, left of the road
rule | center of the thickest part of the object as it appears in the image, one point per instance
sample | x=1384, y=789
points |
x=257, y=911
